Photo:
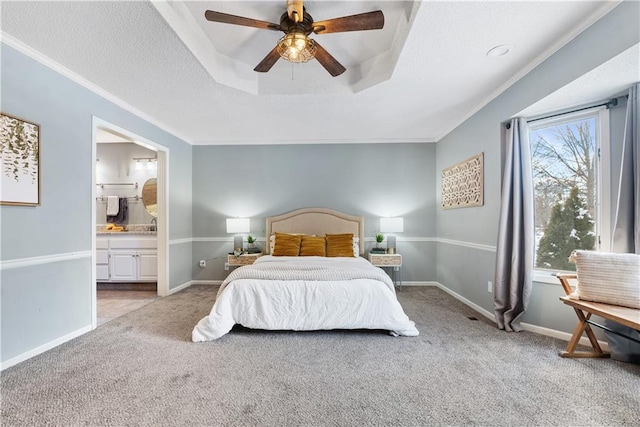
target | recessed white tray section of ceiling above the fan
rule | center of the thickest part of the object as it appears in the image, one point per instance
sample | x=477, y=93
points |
x=369, y=56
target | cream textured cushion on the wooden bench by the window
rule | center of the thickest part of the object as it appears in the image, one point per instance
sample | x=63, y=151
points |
x=609, y=278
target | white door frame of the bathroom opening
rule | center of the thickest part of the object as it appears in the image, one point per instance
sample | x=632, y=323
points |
x=163, y=206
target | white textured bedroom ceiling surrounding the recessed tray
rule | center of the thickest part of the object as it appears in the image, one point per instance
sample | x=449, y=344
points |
x=440, y=77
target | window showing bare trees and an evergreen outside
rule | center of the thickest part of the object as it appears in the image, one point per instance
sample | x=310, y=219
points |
x=569, y=175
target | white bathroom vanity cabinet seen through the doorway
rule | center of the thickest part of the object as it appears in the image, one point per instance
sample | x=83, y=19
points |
x=131, y=260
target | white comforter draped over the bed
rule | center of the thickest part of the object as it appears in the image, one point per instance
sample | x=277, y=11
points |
x=306, y=293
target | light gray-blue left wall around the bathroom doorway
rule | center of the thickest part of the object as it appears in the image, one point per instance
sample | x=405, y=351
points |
x=45, y=301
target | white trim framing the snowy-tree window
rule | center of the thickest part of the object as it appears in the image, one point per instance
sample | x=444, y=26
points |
x=603, y=179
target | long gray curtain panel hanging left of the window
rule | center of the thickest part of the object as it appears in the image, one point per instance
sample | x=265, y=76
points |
x=514, y=263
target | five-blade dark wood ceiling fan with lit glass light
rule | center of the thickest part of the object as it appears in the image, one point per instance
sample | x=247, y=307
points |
x=297, y=25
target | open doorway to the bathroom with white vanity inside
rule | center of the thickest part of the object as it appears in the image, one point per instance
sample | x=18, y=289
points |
x=129, y=222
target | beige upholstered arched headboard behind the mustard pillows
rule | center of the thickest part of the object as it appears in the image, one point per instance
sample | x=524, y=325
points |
x=318, y=221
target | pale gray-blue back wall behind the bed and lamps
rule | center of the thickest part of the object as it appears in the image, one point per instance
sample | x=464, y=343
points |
x=371, y=180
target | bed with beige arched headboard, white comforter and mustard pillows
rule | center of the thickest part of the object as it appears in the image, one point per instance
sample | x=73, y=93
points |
x=303, y=293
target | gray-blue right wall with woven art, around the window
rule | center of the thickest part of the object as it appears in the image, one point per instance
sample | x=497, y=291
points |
x=613, y=34
